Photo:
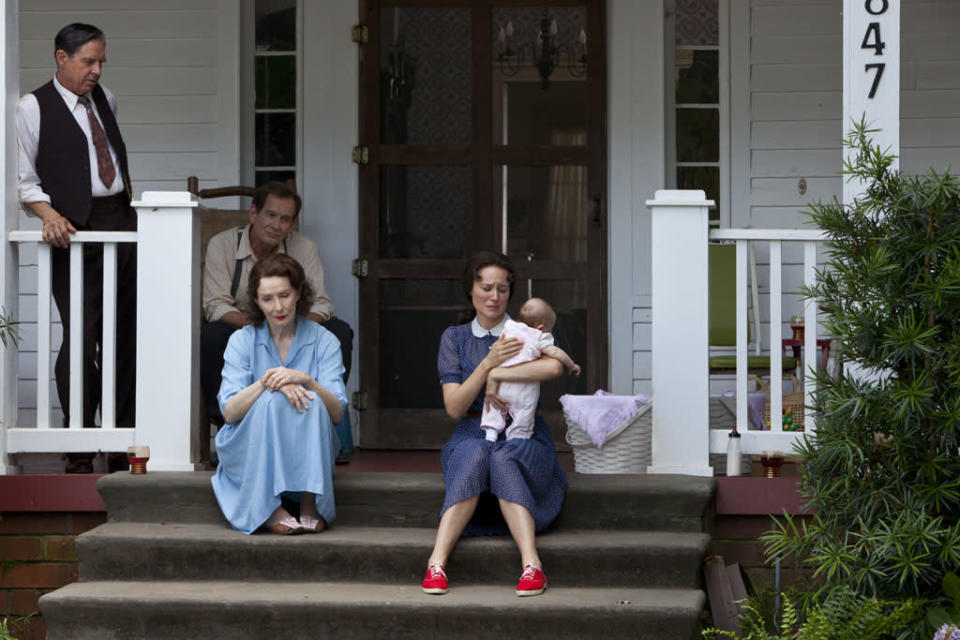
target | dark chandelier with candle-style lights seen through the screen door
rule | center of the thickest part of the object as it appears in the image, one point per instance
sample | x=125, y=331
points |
x=545, y=53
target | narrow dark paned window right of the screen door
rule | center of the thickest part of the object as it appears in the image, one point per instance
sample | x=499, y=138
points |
x=696, y=101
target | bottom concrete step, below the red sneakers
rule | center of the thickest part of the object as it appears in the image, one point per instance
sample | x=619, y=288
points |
x=226, y=610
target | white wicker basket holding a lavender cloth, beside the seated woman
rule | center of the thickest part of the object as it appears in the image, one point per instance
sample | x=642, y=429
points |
x=626, y=450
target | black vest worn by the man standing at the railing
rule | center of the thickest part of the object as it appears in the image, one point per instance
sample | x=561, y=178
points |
x=63, y=161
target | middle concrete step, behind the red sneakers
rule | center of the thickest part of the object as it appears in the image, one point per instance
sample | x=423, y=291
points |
x=385, y=555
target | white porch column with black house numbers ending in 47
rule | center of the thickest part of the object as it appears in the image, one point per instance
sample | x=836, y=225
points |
x=871, y=75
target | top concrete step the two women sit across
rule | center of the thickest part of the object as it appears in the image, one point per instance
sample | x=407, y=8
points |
x=392, y=499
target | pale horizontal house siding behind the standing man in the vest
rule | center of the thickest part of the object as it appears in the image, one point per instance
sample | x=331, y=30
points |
x=174, y=67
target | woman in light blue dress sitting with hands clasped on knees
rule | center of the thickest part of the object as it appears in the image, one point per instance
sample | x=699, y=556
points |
x=282, y=392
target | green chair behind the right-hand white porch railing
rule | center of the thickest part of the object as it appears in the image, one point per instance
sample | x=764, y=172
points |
x=723, y=317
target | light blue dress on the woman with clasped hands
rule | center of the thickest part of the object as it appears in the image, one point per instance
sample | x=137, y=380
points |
x=275, y=451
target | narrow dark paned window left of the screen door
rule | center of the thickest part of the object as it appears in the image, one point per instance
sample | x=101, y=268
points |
x=276, y=118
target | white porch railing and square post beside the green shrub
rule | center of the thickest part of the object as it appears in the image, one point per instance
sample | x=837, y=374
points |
x=682, y=440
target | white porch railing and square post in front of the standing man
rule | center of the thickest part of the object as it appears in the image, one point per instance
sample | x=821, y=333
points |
x=168, y=303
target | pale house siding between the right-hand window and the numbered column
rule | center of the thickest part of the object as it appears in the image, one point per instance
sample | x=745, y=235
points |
x=795, y=104
